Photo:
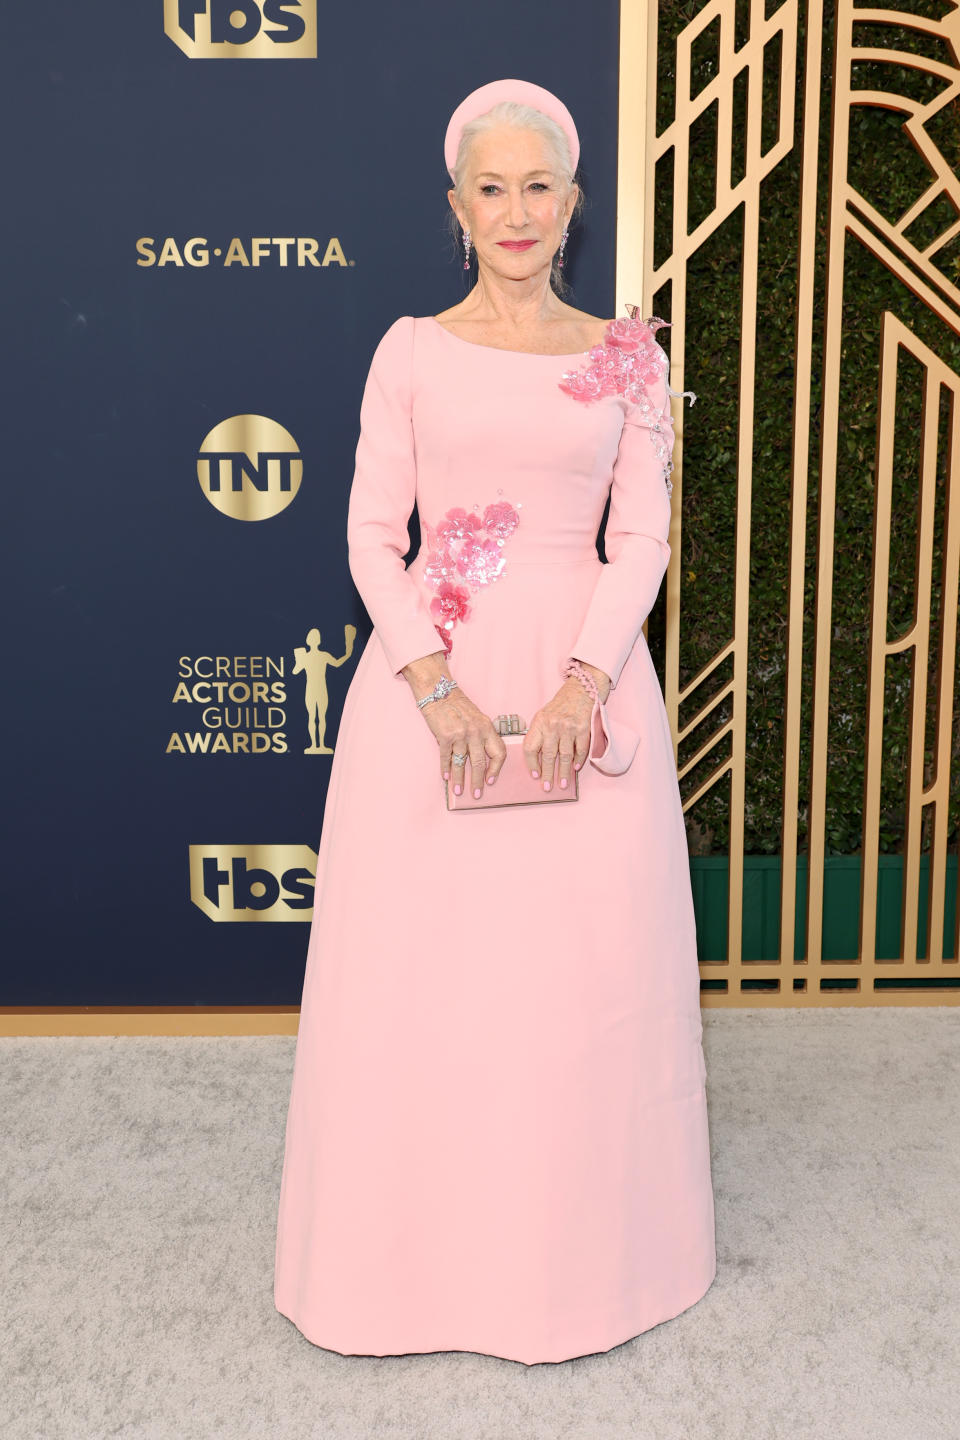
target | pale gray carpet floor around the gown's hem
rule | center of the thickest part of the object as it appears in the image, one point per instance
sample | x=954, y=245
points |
x=140, y=1186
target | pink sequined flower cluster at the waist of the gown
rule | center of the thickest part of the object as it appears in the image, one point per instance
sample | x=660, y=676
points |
x=467, y=545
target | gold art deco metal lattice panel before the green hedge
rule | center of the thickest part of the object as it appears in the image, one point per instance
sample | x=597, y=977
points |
x=810, y=978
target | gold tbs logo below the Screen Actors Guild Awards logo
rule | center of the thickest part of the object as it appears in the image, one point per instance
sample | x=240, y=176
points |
x=254, y=882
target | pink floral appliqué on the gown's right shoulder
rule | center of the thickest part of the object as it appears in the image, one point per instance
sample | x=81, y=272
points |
x=628, y=361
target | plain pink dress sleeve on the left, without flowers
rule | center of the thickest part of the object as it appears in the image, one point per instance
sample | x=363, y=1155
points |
x=382, y=500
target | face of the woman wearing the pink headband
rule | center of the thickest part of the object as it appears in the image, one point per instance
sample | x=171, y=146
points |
x=513, y=192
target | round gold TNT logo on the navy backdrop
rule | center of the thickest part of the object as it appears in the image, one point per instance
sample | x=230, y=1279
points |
x=250, y=467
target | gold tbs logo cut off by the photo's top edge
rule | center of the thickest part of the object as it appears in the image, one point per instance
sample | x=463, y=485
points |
x=243, y=30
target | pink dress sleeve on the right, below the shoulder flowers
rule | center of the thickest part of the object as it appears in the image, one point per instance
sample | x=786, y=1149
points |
x=637, y=534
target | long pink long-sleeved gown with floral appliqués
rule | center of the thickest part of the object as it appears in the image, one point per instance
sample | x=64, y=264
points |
x=497, y=1135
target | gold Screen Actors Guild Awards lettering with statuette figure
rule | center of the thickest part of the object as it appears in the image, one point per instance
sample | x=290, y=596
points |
x=238, y=703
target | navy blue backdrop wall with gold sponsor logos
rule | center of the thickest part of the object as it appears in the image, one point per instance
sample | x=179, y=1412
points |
x=214, y=211
